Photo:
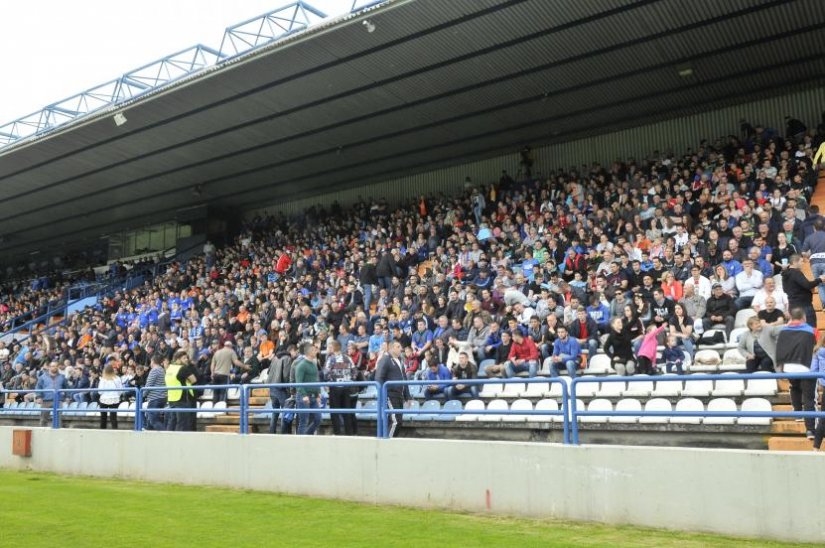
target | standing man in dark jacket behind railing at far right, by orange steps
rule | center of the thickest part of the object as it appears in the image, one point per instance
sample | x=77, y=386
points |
x=795, y=345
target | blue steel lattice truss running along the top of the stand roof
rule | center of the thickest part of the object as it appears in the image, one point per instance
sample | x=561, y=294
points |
x=237, y=40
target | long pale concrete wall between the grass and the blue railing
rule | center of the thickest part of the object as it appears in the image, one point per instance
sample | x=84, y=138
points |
x=754, y=494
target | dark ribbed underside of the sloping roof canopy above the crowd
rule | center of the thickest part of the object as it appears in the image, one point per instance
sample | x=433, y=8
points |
x=436, y=83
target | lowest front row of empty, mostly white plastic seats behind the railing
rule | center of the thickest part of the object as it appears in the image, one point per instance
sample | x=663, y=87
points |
x=434, y=410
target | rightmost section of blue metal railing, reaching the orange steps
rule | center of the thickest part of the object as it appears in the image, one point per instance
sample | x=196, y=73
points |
x=576, y=414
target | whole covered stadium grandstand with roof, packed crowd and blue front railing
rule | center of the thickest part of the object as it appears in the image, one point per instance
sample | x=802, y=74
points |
x=490, y=197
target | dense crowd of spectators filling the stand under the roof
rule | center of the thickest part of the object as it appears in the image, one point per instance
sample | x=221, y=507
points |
x=512, y=278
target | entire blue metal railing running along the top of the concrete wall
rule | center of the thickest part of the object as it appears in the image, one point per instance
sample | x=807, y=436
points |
x=569, y=413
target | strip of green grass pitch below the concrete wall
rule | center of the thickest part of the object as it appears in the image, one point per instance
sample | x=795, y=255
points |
x=56, y=511
